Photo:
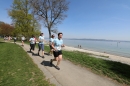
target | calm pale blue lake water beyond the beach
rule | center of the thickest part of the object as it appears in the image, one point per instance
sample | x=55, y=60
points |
x=121, y=48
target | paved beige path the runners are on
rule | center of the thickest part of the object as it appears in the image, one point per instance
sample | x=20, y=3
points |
x=69, y=74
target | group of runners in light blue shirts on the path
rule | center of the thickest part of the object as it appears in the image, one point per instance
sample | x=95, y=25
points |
x=55, y=44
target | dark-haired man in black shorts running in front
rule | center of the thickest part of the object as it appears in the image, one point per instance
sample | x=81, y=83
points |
x=57, y=52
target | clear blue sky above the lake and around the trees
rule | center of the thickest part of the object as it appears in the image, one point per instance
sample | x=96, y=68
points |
x=91, y=19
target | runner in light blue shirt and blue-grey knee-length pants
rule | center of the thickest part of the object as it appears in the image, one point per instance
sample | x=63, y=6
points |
x=41, y=44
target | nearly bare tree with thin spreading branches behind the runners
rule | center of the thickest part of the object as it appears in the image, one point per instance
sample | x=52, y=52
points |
x=52, y=12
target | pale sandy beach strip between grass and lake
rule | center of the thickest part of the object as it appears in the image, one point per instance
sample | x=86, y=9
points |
x=111, y=57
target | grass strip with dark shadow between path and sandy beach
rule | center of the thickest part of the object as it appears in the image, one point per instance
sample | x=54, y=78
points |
x=115, y=70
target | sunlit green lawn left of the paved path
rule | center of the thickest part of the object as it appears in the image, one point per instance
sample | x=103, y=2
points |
x=18, y=69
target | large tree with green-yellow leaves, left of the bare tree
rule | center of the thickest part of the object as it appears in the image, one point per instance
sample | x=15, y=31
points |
x=23, y=20
